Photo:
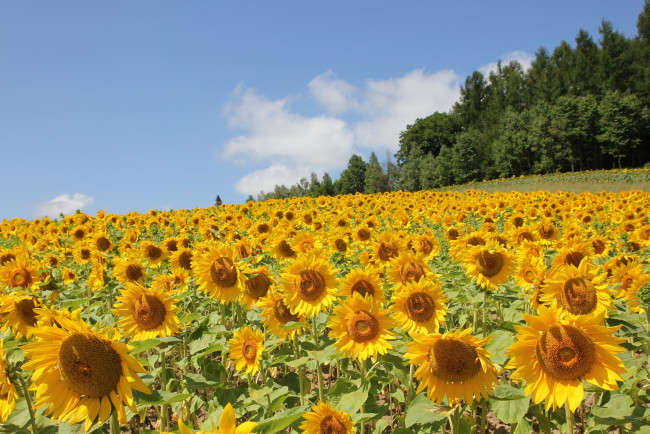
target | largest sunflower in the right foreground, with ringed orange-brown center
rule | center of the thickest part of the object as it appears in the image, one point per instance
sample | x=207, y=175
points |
x=552, y=356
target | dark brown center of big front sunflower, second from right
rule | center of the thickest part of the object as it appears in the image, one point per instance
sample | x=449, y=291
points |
x=454, y=361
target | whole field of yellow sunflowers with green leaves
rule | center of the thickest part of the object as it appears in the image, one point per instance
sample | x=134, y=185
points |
x=391, y=313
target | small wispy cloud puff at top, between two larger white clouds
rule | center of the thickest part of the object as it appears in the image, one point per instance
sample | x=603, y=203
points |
x=337, y=96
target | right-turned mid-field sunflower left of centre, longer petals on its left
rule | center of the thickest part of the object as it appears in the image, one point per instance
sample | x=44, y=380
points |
x=217, y=273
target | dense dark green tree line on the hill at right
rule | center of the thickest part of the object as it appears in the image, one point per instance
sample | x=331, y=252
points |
x=576, y=108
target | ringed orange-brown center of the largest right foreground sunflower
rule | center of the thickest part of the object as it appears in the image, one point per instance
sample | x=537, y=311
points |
x=565, y=352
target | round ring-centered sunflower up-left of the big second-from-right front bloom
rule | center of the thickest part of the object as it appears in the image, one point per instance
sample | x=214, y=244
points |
x=361, y=328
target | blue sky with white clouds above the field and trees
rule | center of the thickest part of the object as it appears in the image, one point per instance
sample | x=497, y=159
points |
x=137, y=105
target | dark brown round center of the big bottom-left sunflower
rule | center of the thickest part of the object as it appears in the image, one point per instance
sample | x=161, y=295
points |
x=90, y=365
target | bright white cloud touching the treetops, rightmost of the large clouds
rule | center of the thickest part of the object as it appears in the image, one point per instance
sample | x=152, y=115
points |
x=390, y=105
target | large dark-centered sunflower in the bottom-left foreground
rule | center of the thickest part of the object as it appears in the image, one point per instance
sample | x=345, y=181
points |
x=81, y=374
